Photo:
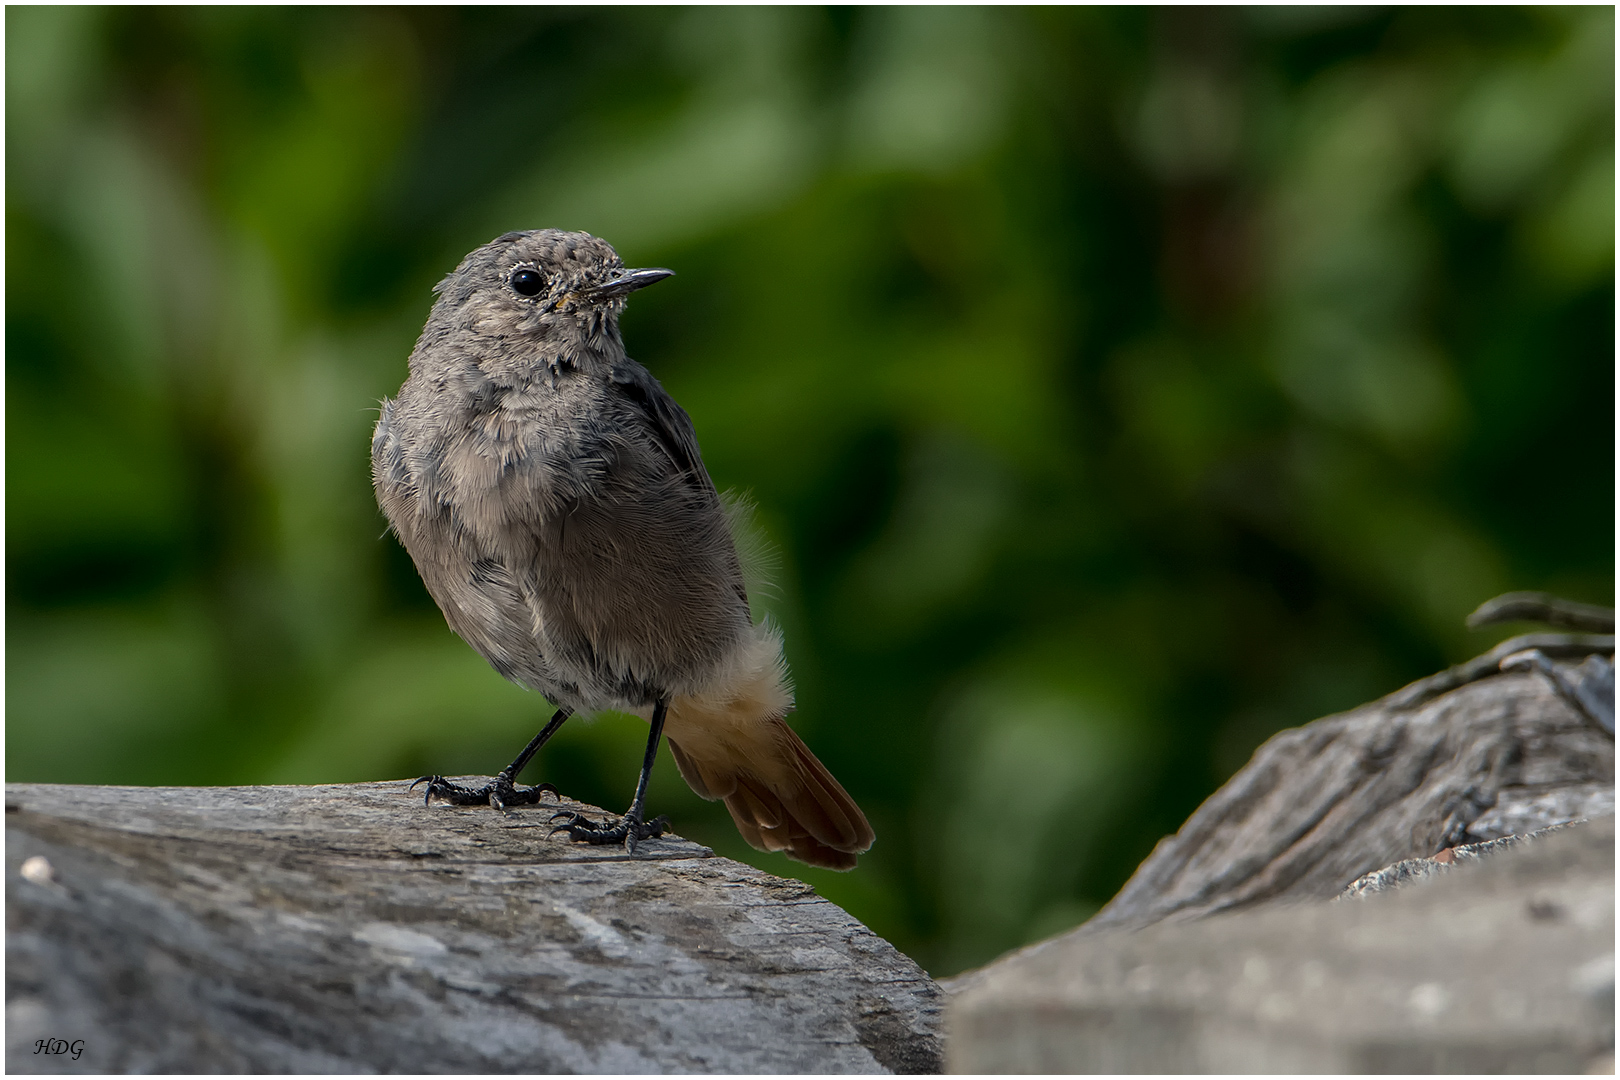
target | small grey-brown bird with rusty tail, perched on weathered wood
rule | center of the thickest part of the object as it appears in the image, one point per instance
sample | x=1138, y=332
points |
x=555, y=503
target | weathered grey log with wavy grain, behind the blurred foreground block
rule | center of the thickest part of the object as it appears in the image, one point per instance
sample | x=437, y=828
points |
x=1467, y=755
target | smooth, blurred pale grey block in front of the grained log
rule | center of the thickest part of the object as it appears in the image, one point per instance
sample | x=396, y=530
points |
x=1499, y=964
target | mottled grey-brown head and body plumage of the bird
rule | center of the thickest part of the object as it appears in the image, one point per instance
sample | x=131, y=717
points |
x=552, y=491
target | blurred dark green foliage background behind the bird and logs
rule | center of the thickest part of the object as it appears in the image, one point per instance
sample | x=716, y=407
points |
x=1117, y=388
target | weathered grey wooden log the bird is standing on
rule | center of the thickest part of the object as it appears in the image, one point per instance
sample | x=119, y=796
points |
x=349, y=929
